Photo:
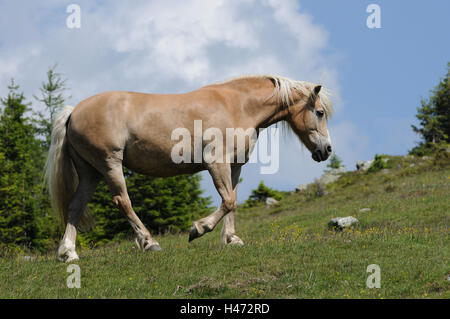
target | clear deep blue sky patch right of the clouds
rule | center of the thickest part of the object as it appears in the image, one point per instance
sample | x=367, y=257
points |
x=384, y=72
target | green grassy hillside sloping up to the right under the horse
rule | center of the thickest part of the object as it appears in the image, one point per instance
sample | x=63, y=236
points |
x=289, y=251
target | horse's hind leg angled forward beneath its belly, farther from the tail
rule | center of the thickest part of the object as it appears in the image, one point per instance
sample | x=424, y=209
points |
x=116, y=181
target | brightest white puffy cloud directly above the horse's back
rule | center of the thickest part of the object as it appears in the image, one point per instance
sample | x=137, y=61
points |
x=198, y=41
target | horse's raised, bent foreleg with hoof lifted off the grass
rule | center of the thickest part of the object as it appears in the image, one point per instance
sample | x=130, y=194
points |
x=221, y=174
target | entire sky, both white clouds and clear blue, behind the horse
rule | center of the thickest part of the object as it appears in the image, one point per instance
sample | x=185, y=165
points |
x=377, y=75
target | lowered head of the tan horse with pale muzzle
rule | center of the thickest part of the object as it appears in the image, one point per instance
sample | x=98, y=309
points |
x=308, y=119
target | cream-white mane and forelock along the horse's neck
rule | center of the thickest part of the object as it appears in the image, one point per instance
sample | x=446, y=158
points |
x=284, y=87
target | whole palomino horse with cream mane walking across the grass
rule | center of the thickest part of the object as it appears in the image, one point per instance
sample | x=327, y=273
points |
x=110, y=130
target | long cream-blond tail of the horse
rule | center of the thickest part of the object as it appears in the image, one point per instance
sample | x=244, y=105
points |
x=60, y=175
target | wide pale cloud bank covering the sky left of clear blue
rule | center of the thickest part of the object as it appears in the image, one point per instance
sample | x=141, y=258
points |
x=171, y=46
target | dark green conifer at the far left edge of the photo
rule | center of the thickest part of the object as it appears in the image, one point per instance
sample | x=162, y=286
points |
x=19, y=176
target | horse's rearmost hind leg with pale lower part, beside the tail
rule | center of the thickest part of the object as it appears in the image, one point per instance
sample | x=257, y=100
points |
x=88, y=179
